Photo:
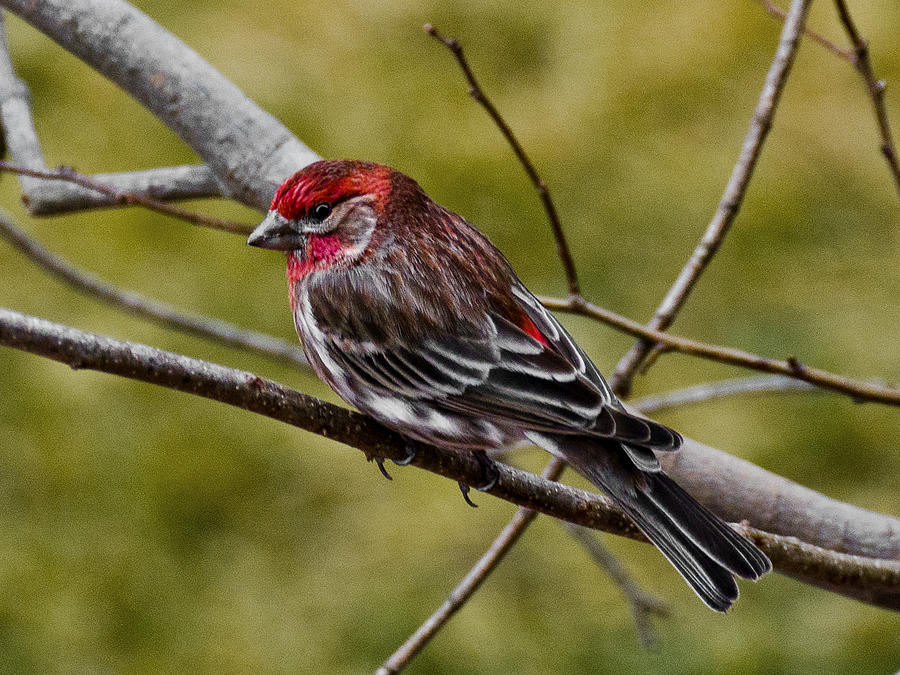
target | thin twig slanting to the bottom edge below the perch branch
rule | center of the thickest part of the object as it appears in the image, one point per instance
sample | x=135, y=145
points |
x=470, y=583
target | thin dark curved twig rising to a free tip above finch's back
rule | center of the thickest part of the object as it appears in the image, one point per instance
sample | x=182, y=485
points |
x=478, y=94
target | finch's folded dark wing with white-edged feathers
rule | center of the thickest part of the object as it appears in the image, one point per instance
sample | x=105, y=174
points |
x=521, y=370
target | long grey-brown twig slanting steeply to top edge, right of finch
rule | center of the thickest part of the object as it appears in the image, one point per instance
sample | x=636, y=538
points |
x=731, y=200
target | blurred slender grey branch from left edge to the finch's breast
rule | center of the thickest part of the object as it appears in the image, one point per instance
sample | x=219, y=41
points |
x=136, y=304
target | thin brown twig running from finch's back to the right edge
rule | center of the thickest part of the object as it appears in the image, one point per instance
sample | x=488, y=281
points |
x=859, y=390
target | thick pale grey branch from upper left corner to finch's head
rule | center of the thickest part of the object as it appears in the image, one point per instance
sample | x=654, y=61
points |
x=249, y=151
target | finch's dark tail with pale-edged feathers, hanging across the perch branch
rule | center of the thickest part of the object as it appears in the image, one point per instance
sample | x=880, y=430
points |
x=704, y=550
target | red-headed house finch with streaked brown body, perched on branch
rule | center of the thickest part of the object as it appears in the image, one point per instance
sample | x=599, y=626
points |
x=414, y=317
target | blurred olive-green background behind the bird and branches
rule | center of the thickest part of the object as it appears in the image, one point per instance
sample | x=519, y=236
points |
x=143, y=530
